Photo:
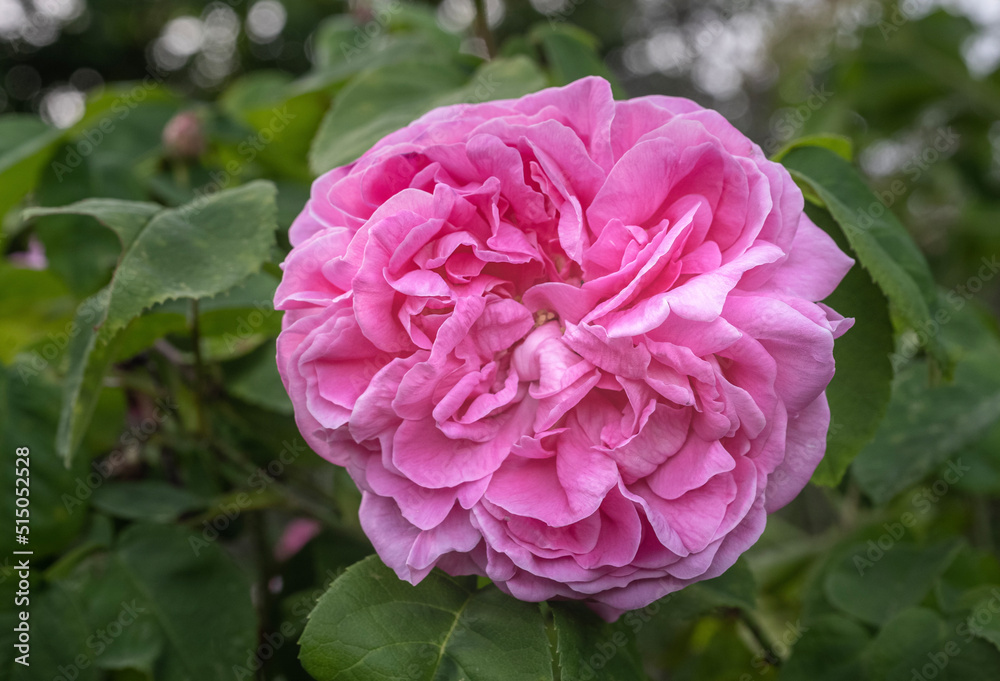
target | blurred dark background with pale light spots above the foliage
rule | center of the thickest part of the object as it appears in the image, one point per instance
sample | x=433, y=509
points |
x=890, y=75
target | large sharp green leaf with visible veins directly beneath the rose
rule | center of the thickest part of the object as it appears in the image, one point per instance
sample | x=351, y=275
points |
x=371, y=625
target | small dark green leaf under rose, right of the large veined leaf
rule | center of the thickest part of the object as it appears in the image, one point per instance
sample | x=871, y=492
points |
x=585, y=643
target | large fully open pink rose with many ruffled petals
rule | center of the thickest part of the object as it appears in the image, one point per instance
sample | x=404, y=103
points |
x=568, y=343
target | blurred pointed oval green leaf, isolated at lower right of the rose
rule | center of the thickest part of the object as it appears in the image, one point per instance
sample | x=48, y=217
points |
x=874, y=583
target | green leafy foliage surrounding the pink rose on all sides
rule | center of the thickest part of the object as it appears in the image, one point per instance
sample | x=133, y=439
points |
x=181, y=529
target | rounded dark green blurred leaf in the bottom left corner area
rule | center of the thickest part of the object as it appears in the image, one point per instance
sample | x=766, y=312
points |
x=192, y=617
